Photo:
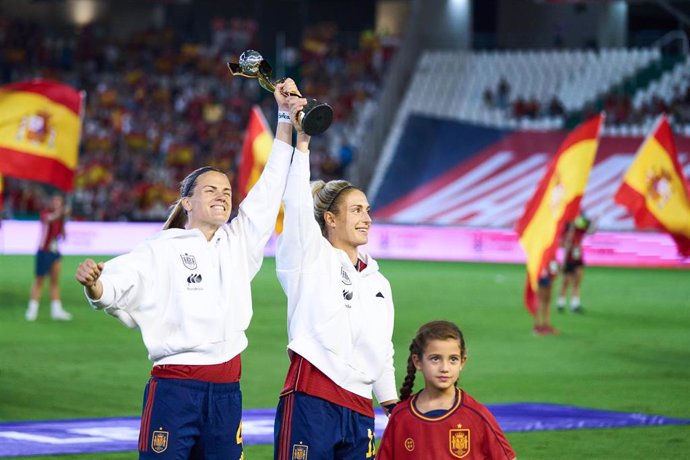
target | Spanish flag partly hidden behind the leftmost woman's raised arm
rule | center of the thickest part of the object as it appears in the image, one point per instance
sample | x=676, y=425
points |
x=256, y=148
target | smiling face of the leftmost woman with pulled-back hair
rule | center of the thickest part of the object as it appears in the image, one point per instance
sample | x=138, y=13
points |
x=210, y=204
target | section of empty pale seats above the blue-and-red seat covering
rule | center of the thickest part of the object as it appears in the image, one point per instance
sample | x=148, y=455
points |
x=526, y=89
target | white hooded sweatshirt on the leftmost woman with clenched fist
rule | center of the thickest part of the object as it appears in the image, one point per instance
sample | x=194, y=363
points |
x=191, y=297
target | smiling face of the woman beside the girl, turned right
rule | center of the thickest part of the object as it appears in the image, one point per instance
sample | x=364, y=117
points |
x=349, y=227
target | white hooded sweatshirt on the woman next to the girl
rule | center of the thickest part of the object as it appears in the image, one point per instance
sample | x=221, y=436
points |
x=339, y=319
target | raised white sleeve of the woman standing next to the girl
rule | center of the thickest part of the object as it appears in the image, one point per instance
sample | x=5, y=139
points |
x=301, y=239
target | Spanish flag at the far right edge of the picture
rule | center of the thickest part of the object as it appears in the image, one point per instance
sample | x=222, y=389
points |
x=654, y=189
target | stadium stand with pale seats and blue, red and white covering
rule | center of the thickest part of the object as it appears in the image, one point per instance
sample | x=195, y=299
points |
x=483, y=131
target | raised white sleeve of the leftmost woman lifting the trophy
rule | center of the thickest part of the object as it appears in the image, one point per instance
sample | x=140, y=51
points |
x=257, y=214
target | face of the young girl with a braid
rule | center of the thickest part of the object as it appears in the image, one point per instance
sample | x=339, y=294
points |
x=440, y=364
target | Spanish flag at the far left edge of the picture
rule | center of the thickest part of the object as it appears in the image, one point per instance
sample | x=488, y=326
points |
x=40, y=128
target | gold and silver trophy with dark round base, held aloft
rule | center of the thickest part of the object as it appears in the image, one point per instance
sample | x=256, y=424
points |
x=316, y=116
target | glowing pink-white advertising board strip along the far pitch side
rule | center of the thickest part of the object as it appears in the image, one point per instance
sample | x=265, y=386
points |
x=437, y=243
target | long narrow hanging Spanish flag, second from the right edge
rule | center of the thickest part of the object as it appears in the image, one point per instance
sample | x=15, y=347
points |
x=556, y=201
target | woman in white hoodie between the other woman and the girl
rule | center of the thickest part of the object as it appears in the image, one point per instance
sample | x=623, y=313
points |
x=340, y=320
